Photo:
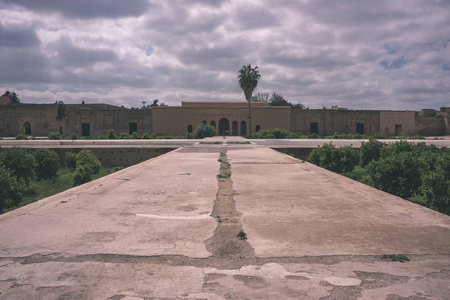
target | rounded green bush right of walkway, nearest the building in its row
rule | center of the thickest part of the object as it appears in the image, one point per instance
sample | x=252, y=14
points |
x=340, y=160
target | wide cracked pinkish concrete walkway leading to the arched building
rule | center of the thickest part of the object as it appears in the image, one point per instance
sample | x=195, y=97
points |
x=166, y=229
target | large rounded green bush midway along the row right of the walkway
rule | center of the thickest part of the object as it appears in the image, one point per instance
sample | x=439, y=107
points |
x=398, y=174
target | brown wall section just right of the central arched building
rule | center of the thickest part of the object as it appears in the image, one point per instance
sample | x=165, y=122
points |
x=330, y=121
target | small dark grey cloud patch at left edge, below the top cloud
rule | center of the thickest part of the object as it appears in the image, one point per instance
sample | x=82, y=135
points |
x=18, y=36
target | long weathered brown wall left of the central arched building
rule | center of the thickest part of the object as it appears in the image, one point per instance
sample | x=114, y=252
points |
x=45, y=118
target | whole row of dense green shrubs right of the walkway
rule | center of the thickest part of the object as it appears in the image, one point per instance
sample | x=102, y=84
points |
x=403, y=169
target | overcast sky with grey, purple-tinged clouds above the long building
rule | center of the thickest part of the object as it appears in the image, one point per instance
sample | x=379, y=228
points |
x=384, y=54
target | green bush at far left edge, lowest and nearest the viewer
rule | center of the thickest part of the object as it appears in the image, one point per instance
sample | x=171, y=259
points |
x=11, y=188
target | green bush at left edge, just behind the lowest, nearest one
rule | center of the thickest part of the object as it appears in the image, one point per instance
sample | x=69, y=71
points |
x=19, y=162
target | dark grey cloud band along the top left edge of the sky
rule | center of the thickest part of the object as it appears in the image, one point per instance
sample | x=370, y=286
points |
x=86, y=9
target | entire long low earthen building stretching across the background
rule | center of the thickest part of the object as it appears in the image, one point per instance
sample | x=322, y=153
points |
x=92, y=120
